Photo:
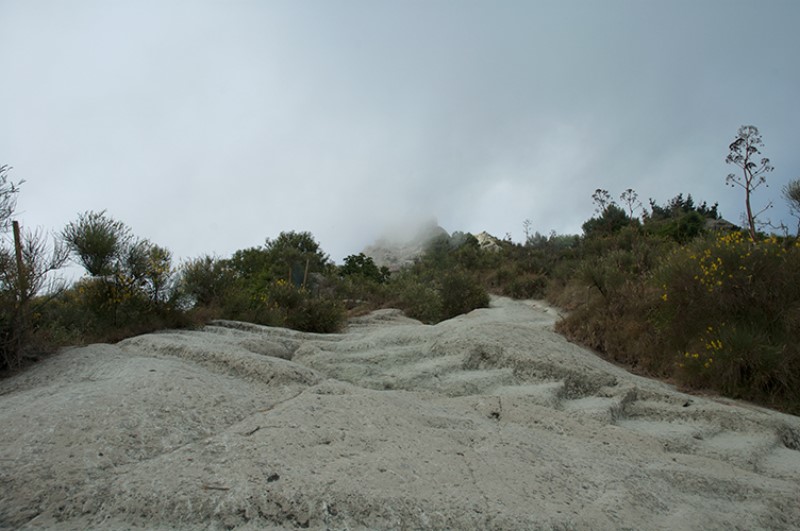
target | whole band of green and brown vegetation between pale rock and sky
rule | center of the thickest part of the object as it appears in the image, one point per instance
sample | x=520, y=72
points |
x=651, y=289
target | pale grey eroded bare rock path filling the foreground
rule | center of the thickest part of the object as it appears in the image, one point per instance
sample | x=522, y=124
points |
x=487, y=421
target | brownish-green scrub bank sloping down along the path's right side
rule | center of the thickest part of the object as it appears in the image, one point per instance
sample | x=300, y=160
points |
x=719, y=312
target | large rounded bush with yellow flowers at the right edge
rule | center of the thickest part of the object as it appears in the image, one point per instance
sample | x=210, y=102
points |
x=729, y=312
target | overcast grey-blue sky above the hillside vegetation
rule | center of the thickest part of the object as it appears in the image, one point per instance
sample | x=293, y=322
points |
x=208, y=126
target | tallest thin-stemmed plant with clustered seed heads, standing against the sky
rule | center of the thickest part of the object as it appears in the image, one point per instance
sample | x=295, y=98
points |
x=743, y=153
